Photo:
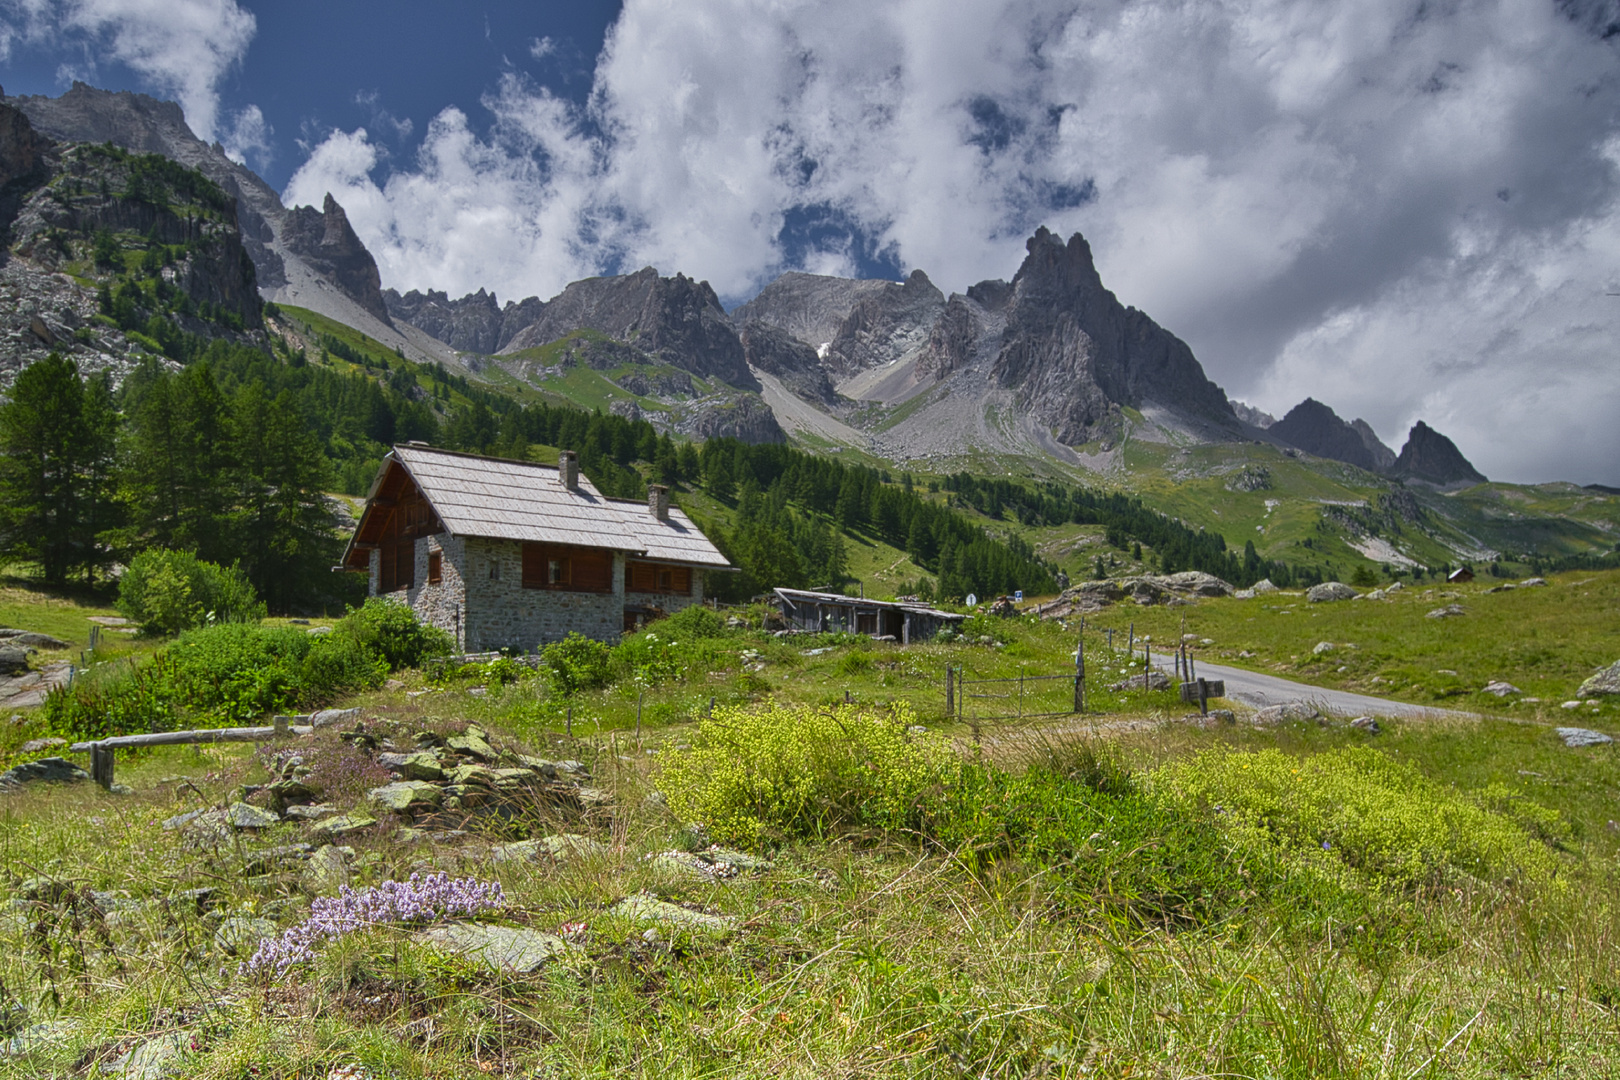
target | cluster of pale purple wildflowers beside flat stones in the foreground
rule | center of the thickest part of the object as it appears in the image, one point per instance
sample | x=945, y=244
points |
x=416, y=901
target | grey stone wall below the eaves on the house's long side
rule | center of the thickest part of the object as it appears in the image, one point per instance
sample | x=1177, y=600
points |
x=503, y=614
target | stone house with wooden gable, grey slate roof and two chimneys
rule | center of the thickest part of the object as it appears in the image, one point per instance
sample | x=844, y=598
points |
x=514, y=555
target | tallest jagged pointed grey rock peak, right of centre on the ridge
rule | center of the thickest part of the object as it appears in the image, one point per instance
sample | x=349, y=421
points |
x=1076, y=354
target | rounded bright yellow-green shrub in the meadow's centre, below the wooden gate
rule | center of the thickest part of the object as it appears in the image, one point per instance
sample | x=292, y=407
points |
x=754, y=776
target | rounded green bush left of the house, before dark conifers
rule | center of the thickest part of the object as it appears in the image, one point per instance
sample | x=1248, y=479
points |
x=168, y=592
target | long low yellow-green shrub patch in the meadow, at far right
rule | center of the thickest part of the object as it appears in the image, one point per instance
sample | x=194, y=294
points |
x=1362, y=810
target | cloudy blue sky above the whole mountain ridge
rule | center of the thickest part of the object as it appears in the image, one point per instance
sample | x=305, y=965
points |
x=1399, y=208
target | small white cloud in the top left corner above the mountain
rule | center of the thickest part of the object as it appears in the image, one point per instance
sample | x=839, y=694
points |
x=181, y=48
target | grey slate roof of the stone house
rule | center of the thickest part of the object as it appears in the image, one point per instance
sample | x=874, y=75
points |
x=521, y=501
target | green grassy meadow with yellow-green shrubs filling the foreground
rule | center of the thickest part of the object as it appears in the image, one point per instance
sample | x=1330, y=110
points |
x=1115, y=895
